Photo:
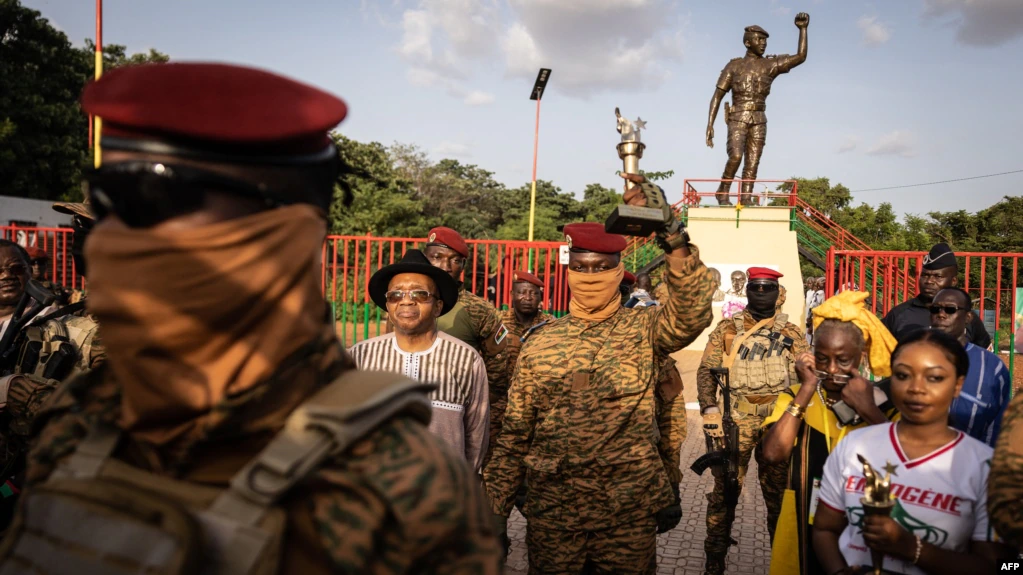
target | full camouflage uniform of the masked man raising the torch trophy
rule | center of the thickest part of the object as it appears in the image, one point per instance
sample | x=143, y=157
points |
x=581, y=428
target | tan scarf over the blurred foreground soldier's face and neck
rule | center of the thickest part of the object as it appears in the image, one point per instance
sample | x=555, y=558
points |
x=191, y=319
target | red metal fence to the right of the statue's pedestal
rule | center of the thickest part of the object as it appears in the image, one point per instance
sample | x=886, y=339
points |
x=991, y=279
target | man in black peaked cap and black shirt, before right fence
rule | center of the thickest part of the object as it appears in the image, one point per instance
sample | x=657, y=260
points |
x=941, y=272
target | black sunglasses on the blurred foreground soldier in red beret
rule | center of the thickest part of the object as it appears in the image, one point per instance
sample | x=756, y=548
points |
x=145, y=194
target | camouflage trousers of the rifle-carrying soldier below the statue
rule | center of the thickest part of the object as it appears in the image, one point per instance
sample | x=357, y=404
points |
x=773, y=482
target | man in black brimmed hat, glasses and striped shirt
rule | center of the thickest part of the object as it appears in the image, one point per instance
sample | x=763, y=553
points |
x=415, y=293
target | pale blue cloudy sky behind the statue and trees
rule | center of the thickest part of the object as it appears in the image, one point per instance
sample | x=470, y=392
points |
x=894, y=92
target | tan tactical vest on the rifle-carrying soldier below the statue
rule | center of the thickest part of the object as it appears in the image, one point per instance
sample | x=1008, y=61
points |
x=763, y=362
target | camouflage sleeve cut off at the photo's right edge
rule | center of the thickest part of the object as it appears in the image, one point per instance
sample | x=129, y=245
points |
x=1005, y=485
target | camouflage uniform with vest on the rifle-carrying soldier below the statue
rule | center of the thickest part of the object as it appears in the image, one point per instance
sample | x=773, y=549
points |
x=763, y=397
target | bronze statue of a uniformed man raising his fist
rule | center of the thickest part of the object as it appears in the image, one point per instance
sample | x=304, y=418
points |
x=750, y=78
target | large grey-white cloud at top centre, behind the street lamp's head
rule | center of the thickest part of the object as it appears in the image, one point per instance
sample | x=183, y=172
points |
x=595, y=46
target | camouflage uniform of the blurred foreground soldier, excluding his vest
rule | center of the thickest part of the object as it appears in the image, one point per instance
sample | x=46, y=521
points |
x=397, y=502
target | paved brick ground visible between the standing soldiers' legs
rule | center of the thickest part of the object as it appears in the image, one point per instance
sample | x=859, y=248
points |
x=681, y=552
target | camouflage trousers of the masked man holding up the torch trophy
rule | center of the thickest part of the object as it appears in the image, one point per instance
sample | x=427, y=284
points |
x=630, y=549
